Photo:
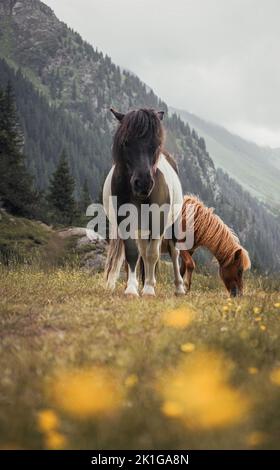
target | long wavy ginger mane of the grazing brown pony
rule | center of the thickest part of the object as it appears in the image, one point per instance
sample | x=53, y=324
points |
x=211, y=232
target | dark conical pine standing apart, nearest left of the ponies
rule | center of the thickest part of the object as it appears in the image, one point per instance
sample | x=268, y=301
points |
x=61, y=192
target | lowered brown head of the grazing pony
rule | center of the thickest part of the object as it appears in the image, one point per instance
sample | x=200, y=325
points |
x=232, y=271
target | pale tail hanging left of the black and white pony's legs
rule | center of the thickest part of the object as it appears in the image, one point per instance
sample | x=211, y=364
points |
x=114, y=261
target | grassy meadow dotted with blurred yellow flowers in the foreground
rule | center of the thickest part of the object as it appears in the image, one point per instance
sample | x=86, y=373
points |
x=63, y=319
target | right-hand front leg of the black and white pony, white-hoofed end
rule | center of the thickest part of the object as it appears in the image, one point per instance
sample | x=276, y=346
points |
x=149, y=250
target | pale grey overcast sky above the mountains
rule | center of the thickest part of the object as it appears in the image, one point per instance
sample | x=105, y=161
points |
x=216, y=58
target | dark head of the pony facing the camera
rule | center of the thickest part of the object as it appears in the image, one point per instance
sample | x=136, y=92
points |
x=136, y=148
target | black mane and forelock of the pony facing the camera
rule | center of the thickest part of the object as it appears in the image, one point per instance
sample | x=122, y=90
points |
x=138, y=124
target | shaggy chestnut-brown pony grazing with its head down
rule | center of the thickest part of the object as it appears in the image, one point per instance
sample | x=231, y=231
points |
x=212, y=233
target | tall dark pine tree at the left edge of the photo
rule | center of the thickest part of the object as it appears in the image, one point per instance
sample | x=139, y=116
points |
x=17, y=194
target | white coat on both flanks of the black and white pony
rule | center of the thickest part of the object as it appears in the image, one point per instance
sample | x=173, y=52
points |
x=174, y=188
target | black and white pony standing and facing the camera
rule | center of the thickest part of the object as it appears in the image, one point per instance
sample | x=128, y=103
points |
x=143, y=175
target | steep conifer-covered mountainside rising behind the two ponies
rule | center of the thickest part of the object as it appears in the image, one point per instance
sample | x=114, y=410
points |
x=64, y=89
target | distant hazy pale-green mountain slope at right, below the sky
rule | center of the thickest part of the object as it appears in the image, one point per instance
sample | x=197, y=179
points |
x=256, y=168
